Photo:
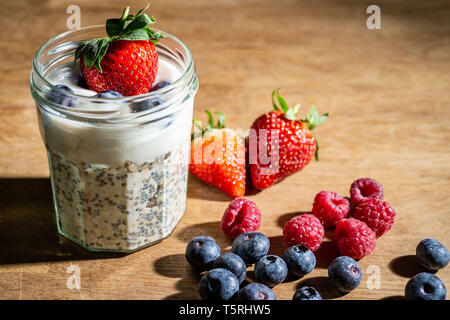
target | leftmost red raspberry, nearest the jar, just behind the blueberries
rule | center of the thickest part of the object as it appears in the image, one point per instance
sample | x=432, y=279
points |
x=242, y=215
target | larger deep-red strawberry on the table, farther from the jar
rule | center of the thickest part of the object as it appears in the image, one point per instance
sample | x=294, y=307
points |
x=279, y=144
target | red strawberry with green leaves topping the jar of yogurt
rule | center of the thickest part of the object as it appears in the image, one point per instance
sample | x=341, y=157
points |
x=126, y=61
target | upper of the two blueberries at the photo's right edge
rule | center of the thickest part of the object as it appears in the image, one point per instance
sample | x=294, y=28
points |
x=432, y=254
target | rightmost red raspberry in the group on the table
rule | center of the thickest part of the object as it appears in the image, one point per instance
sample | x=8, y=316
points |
x=377, y=214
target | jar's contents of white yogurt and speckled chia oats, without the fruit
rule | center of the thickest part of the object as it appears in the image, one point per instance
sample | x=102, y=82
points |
x=118, y=186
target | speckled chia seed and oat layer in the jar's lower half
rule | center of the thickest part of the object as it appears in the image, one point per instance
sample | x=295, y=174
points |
x=149, y=200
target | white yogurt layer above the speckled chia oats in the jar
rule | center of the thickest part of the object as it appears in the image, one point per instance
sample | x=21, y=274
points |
x=111, y=145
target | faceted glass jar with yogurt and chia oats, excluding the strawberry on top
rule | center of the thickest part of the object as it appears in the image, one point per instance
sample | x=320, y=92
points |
x=118, y=171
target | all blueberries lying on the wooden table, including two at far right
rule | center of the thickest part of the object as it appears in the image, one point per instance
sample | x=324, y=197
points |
x=226, y=272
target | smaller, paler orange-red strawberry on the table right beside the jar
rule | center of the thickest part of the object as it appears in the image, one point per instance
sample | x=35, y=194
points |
x=218, y=157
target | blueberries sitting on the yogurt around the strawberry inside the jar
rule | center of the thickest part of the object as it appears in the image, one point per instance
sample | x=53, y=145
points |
x=70, y=101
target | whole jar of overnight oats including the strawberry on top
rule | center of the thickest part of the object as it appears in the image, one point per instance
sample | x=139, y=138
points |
x=115, y=112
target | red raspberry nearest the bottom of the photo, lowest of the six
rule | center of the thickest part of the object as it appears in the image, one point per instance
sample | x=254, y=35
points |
x=354, y=238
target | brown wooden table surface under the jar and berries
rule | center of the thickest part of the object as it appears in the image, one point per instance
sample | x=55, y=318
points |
x=387, y=92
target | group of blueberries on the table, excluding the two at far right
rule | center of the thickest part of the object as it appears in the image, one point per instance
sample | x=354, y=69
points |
x=226, y=272
